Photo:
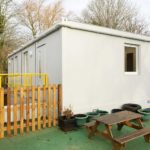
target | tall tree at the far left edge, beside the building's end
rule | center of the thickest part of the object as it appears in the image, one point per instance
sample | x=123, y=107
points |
x=8, y=38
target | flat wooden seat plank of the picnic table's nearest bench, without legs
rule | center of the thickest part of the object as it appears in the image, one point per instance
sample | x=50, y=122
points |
x=133, y=135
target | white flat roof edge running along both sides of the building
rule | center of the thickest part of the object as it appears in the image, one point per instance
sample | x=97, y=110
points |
x=88, y=28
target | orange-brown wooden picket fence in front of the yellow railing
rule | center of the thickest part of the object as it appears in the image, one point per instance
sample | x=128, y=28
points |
x=29, y=109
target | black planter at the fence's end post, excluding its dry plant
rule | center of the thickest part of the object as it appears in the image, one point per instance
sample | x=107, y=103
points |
x=67, y=124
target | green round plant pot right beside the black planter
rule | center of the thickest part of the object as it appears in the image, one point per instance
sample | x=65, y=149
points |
x=81, y=119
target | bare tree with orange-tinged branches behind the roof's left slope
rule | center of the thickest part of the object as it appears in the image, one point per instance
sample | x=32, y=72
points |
x=37, y=15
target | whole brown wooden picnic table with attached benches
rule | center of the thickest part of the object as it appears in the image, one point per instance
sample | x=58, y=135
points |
x=120, y=118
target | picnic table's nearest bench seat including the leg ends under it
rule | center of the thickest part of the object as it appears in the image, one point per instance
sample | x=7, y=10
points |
x=121, y=141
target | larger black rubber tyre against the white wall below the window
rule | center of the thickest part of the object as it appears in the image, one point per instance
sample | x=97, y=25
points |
x=131, y=107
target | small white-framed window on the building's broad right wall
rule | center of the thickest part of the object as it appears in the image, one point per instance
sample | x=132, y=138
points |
x=131, y=58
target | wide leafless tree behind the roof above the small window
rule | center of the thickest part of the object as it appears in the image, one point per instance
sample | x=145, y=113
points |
x=116, y=14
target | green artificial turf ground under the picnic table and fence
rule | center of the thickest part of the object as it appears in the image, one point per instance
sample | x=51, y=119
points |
x=55, y=139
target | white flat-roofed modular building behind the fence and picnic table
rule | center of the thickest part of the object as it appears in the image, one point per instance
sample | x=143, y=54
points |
x=97, y=67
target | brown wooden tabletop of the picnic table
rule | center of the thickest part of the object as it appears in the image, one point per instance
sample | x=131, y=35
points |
x=118, y=117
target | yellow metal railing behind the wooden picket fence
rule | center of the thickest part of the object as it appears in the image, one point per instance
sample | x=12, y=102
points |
x=29, y=79
